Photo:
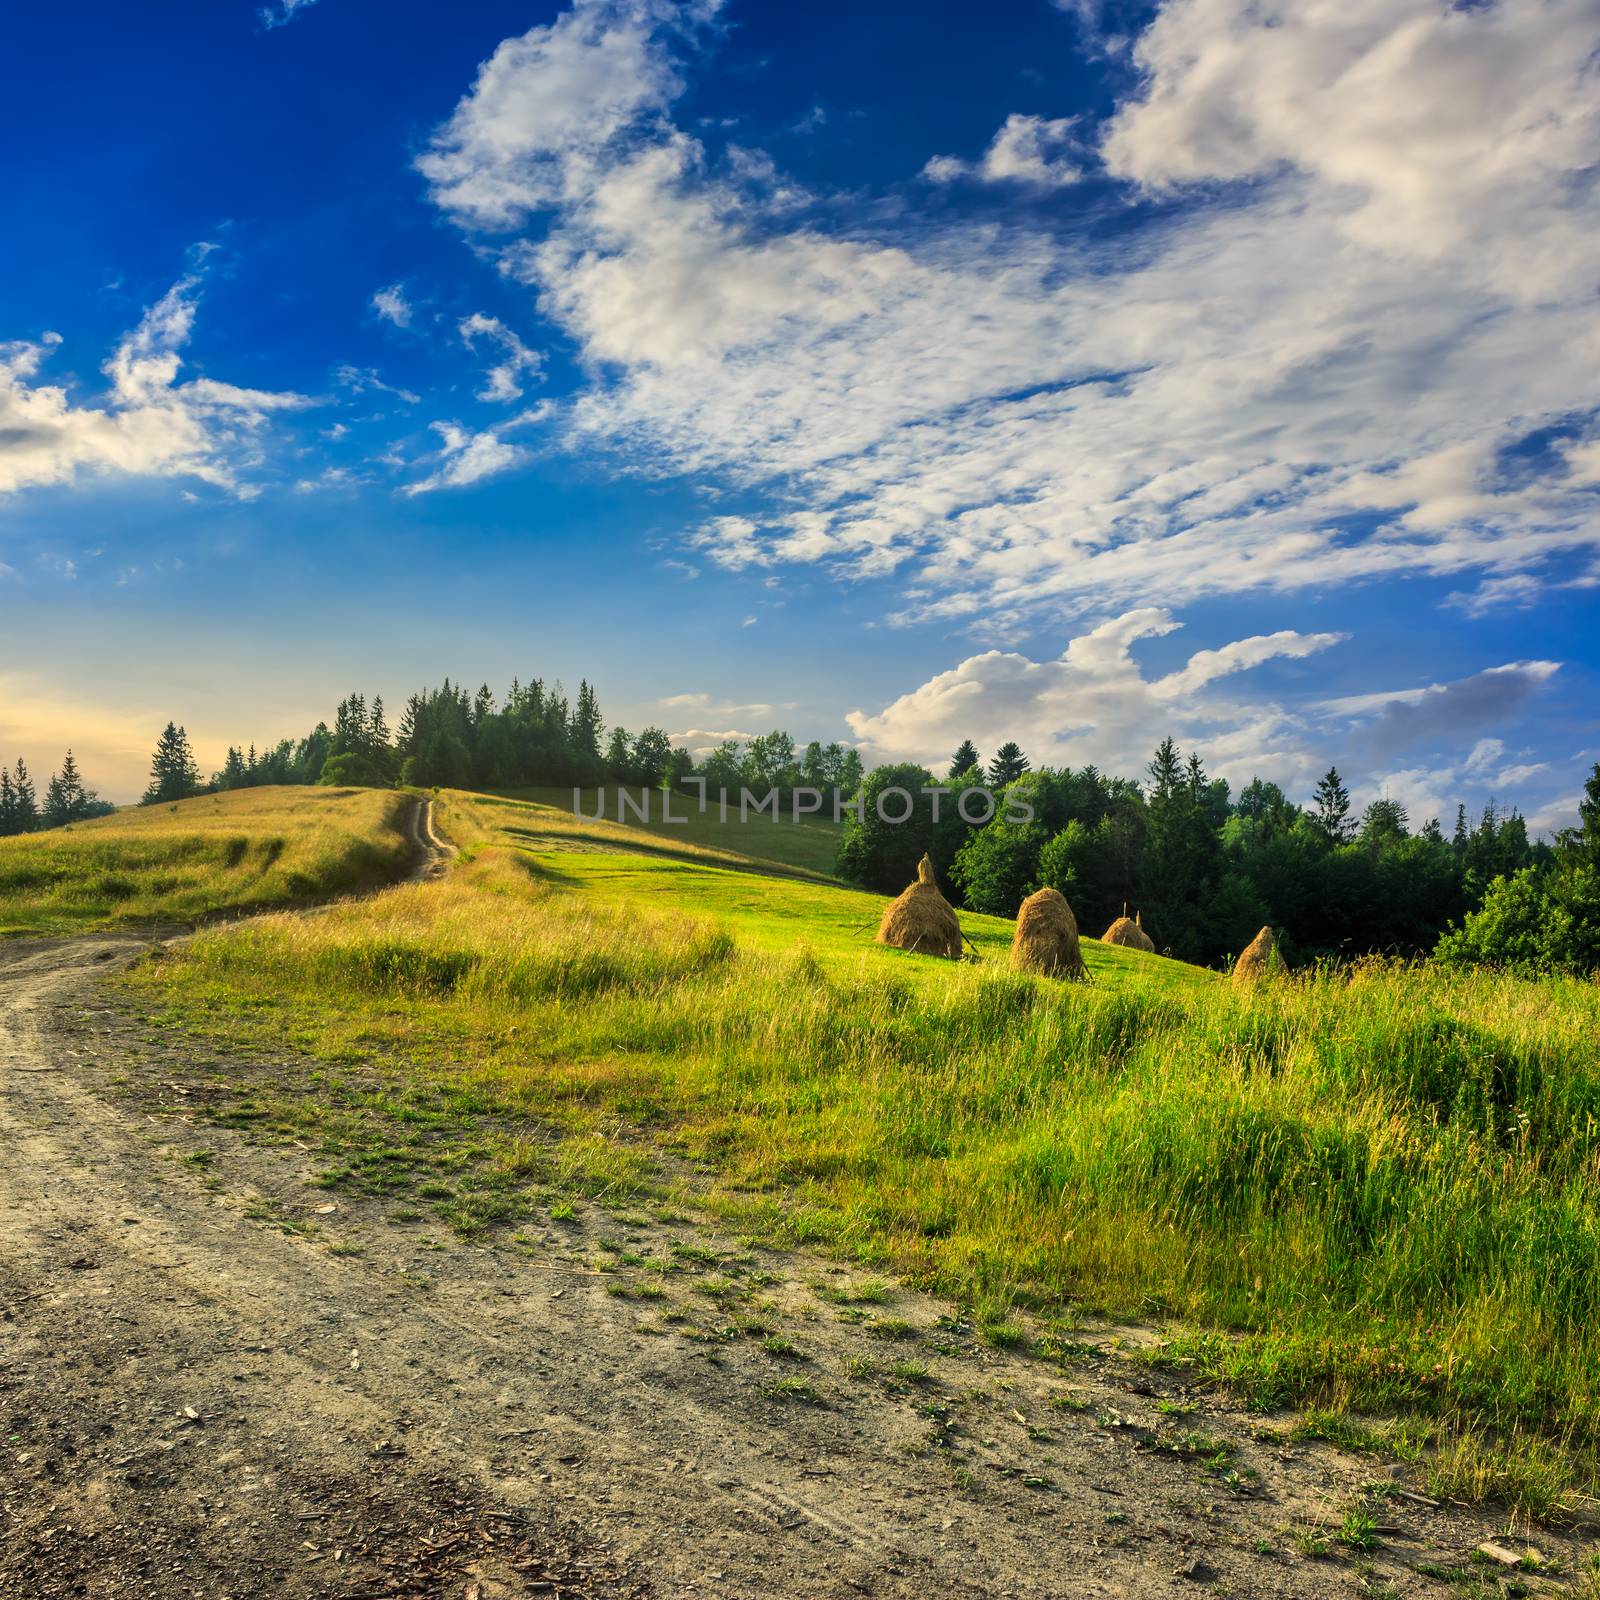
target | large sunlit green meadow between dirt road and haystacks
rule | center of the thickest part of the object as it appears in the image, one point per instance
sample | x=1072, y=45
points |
x=1375, y=1190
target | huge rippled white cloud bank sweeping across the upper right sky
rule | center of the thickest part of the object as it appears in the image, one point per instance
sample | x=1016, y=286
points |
x=1362, y=284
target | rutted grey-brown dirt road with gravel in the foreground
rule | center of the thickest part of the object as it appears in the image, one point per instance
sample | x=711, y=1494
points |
x=218, y=1378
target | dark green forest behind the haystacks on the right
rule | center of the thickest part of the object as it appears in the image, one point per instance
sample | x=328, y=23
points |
x=1207, y=870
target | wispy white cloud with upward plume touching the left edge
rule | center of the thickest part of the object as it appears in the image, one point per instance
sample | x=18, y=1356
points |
x=146, y=425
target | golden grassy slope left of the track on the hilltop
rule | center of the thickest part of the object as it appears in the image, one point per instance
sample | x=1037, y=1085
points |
x=180, y=863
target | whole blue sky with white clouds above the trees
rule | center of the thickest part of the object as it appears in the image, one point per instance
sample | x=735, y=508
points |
x=900, y=374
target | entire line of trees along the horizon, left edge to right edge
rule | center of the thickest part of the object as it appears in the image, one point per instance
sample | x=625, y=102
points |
x=1206, y=868
